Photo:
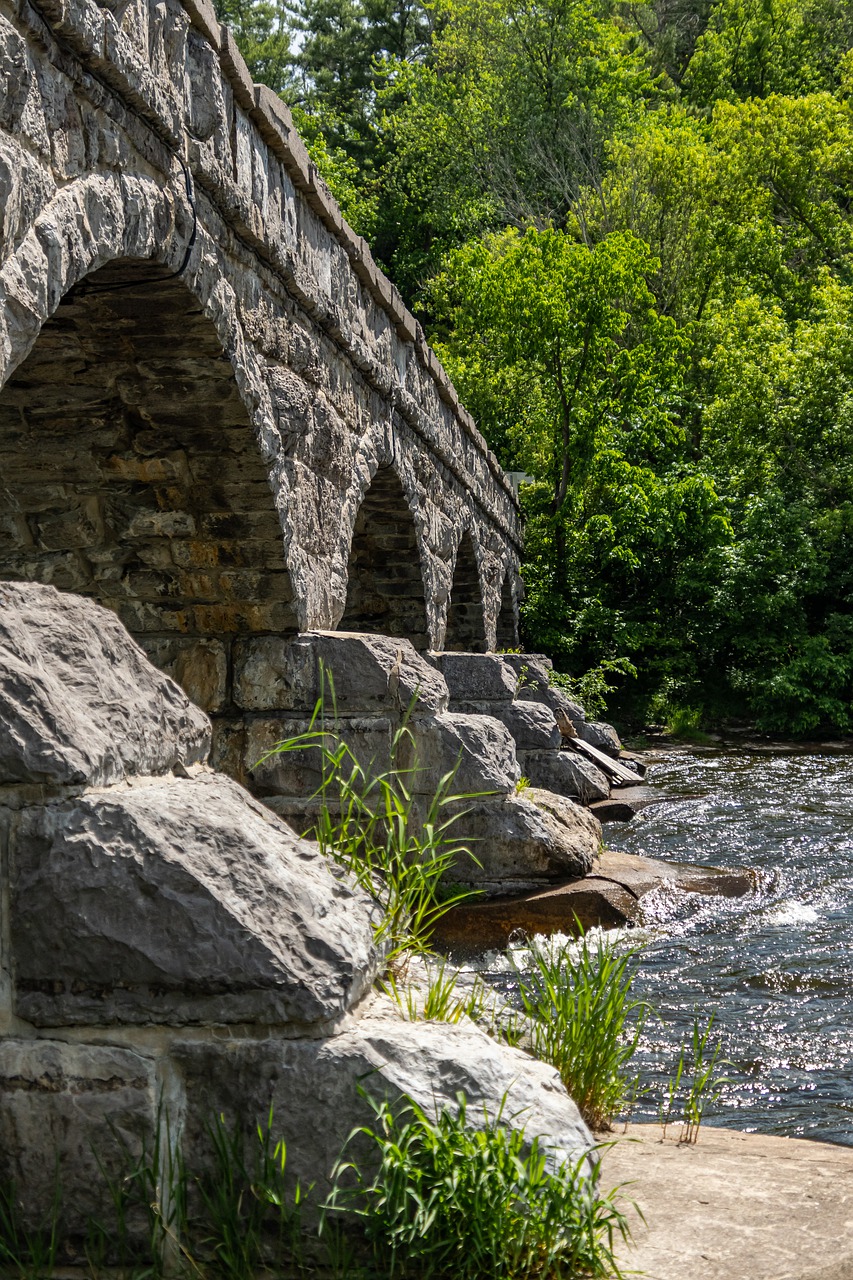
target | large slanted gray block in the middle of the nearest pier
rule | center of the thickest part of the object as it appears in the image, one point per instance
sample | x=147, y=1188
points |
x=181, y=902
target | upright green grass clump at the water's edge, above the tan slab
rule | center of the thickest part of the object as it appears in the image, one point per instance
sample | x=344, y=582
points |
x=583, y=1020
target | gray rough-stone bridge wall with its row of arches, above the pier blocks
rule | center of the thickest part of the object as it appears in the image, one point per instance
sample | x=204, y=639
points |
x=217, y=417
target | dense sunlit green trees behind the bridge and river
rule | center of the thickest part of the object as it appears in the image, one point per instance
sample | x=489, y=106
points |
x=630, y=232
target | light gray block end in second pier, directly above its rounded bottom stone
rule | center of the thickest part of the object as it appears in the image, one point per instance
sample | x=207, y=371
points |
x=478, y=747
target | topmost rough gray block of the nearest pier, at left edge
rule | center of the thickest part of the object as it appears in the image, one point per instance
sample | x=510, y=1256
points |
x=80, y=703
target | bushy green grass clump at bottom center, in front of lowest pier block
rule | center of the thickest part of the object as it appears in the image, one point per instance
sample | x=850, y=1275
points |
x=476, y=1203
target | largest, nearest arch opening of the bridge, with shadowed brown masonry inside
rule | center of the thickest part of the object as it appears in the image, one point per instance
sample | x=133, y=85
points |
x=130, y=473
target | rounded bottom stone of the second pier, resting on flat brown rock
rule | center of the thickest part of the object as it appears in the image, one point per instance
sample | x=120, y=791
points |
x=526, y=840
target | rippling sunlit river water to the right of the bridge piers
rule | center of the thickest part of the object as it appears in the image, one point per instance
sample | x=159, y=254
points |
x=776, y=967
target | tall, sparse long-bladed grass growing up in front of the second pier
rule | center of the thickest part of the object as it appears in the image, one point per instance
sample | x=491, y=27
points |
x=398, y=845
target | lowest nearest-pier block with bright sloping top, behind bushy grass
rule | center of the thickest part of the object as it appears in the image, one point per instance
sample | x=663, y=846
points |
x=313, y=1086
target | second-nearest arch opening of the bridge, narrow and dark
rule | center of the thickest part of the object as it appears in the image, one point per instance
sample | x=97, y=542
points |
x=386, y=583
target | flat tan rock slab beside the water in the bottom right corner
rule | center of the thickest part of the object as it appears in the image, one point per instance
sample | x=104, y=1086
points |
x=736, y=1206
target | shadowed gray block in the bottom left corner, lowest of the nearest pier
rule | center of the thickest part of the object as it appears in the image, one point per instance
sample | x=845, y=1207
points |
x=65, y=1109
